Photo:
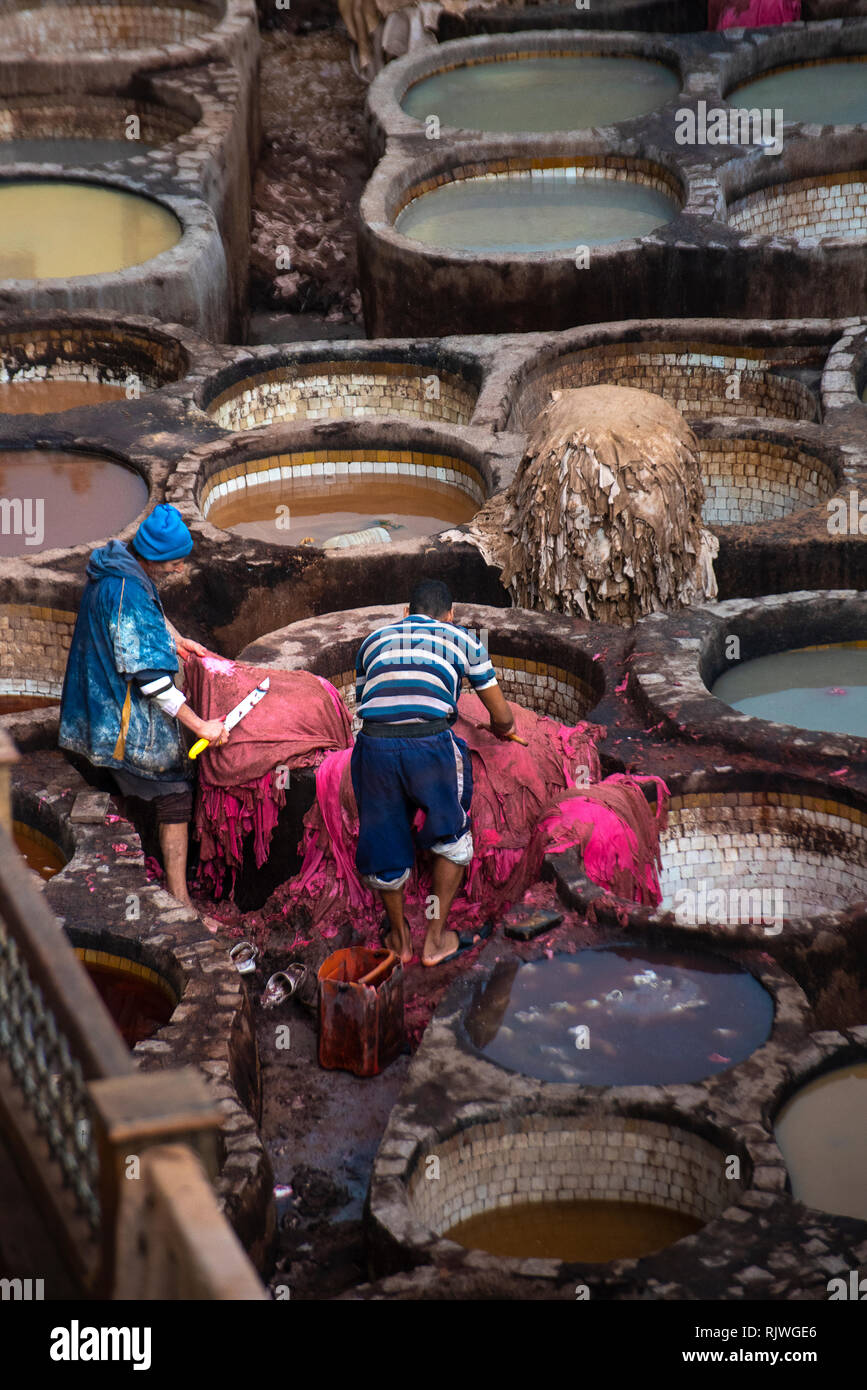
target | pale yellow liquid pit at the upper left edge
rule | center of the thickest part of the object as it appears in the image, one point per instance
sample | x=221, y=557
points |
x=55, y=230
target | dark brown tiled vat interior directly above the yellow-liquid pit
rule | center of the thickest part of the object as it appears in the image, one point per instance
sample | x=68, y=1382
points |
x=84, y=130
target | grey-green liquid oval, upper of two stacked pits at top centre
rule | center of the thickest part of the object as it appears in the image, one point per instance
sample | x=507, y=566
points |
x=565, y=92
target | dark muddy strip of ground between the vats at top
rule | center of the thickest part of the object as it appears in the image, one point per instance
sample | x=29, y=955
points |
x=309, y=181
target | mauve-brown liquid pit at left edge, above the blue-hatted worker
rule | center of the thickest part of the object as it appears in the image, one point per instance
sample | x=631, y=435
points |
x=53, y=500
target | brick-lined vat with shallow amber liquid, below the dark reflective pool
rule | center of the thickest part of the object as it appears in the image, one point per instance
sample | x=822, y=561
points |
x=609, y=1189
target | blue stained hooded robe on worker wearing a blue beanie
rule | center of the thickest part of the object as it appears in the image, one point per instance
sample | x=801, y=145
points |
x=122, y=630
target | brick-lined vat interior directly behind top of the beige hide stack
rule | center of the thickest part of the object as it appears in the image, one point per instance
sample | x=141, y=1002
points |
x=698, y=379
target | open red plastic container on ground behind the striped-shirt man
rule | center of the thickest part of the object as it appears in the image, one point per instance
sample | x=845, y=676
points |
x=362, y=1027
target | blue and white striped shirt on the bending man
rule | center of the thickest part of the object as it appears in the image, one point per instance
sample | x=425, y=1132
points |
x=413, y=671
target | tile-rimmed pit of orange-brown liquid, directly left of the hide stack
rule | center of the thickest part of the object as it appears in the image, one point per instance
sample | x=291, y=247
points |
x=315, y=498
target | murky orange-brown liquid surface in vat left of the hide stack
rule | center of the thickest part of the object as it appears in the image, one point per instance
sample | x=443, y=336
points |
x=405, y=509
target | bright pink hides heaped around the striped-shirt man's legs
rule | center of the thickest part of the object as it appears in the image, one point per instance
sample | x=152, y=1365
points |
x=526, y=803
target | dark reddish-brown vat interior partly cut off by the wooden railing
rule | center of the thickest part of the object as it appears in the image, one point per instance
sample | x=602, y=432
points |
x=140, y=986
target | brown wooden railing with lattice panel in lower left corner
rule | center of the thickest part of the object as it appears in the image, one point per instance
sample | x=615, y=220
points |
x=88, y=1132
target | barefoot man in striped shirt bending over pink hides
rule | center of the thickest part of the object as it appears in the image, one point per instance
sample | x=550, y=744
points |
x=408, y=683
